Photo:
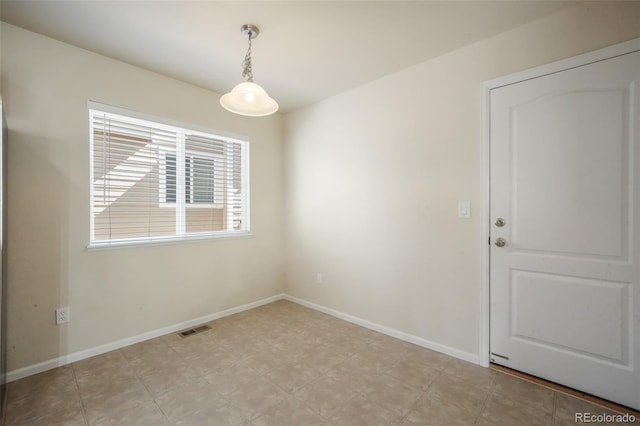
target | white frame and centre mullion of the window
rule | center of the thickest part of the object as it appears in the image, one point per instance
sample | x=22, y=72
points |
x=219, y=202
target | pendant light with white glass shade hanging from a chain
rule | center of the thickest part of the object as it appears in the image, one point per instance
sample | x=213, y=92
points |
x=248, y=98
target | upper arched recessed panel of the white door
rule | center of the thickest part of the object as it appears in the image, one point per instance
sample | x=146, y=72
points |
x=563, y=134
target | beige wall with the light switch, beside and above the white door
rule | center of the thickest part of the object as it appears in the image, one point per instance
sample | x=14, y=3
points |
x=374, y=176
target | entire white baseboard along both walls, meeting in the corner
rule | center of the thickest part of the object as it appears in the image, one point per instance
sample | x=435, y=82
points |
x=118, y=344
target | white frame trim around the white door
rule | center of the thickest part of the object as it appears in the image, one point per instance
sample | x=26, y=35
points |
x=486, y=87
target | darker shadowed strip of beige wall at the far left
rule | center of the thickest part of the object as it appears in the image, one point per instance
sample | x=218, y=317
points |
x=38, y=230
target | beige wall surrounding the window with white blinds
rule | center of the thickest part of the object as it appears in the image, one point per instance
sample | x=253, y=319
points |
x=118, y=293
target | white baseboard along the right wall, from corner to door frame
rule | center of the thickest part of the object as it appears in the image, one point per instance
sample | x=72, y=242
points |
x=466, y=356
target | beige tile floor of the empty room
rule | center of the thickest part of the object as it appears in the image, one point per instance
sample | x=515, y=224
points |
x=287, y=365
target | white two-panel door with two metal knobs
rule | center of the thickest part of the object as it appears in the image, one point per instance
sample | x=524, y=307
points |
x=565, y=179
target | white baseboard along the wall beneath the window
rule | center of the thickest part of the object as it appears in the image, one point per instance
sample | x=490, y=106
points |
x=118, y=344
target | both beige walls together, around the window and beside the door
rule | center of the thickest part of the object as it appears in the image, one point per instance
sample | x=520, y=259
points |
x=373, y=177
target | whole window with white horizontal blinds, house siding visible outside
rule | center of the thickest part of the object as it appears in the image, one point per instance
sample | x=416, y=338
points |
x=153, y=181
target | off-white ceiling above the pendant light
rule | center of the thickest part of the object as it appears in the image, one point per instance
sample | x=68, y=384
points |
x=307, y=50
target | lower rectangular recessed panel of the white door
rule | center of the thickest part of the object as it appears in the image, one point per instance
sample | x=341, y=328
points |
x=600, y=333
